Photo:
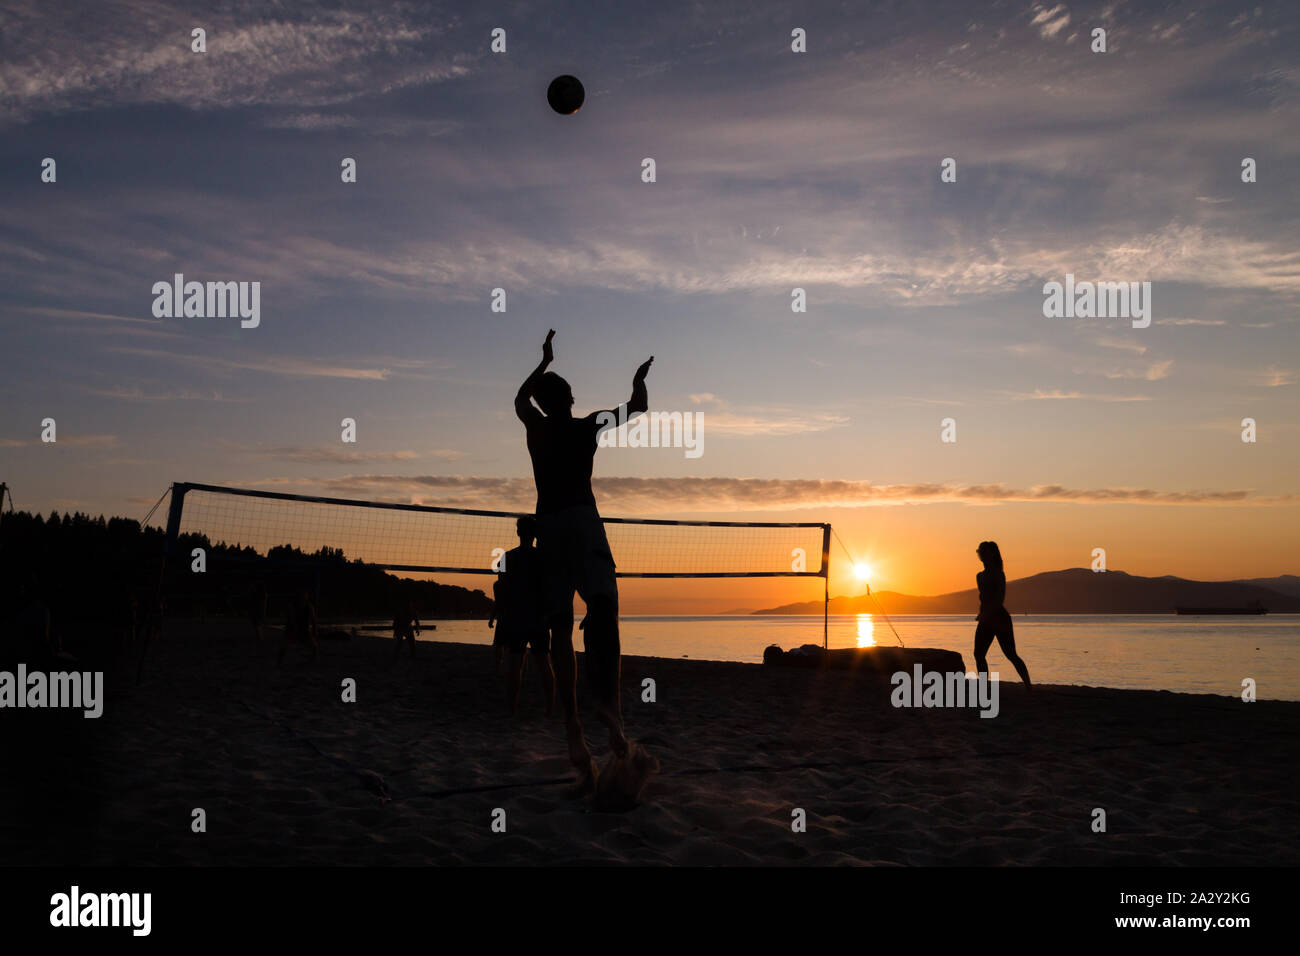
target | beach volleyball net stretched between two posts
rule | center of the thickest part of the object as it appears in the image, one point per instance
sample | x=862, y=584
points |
x=427, y=539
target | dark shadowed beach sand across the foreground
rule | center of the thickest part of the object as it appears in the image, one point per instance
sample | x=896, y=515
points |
x=288, y=773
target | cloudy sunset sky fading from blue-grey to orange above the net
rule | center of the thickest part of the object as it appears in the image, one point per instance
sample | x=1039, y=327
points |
x=775, y=171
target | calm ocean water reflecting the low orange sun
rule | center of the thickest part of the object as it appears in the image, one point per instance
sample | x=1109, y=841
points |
x=1132, y=651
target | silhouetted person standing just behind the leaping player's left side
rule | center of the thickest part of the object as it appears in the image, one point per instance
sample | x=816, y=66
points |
x=522, y=616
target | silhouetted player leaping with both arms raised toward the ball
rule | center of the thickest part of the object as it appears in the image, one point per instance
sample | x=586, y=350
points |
x=574, y=548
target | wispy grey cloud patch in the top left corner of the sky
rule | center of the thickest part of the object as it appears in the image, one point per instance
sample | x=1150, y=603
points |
x=307, y=57
